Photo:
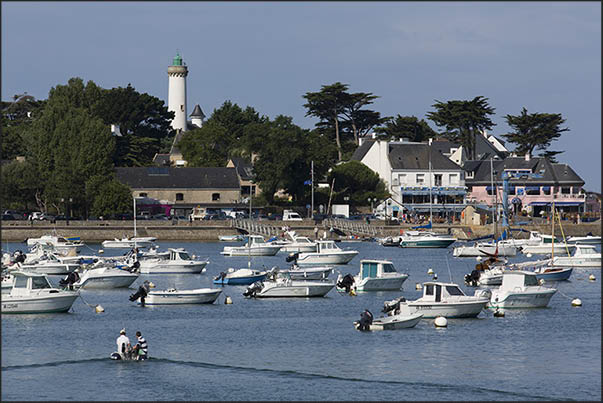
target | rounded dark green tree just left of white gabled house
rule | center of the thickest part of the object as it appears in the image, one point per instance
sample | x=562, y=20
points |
x=355, y=180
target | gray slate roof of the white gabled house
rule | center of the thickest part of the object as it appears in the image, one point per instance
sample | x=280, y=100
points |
x=416, y=156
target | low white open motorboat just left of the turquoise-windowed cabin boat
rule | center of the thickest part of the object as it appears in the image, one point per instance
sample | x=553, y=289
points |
x=284, y=286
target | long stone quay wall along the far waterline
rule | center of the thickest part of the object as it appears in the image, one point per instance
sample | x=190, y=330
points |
x=97, y=231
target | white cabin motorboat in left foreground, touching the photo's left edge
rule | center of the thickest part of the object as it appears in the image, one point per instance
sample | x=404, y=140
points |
x=33, y=293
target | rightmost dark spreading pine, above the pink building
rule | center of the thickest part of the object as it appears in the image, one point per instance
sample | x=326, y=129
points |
x=535, y=131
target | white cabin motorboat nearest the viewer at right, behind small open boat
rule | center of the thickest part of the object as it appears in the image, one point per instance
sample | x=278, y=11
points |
x=448, y=300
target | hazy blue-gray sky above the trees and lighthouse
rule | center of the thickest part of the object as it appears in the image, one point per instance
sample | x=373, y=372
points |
x=544, y=56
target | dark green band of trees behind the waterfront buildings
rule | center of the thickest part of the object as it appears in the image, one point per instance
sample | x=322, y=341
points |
x=71, y=153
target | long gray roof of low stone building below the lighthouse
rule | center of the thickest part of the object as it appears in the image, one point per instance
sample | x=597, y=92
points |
x=178, y=178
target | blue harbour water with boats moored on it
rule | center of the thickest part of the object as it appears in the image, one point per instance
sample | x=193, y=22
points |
x=306, y=349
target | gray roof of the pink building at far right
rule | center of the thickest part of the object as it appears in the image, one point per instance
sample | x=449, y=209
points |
x=552, y=173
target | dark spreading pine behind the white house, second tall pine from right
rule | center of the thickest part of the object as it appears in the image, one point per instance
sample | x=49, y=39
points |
x=463, y=120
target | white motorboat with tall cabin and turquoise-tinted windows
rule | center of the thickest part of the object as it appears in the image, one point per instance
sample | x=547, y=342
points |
x=375, y=275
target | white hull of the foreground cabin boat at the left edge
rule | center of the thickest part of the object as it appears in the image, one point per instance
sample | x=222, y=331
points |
x=42, y=304
